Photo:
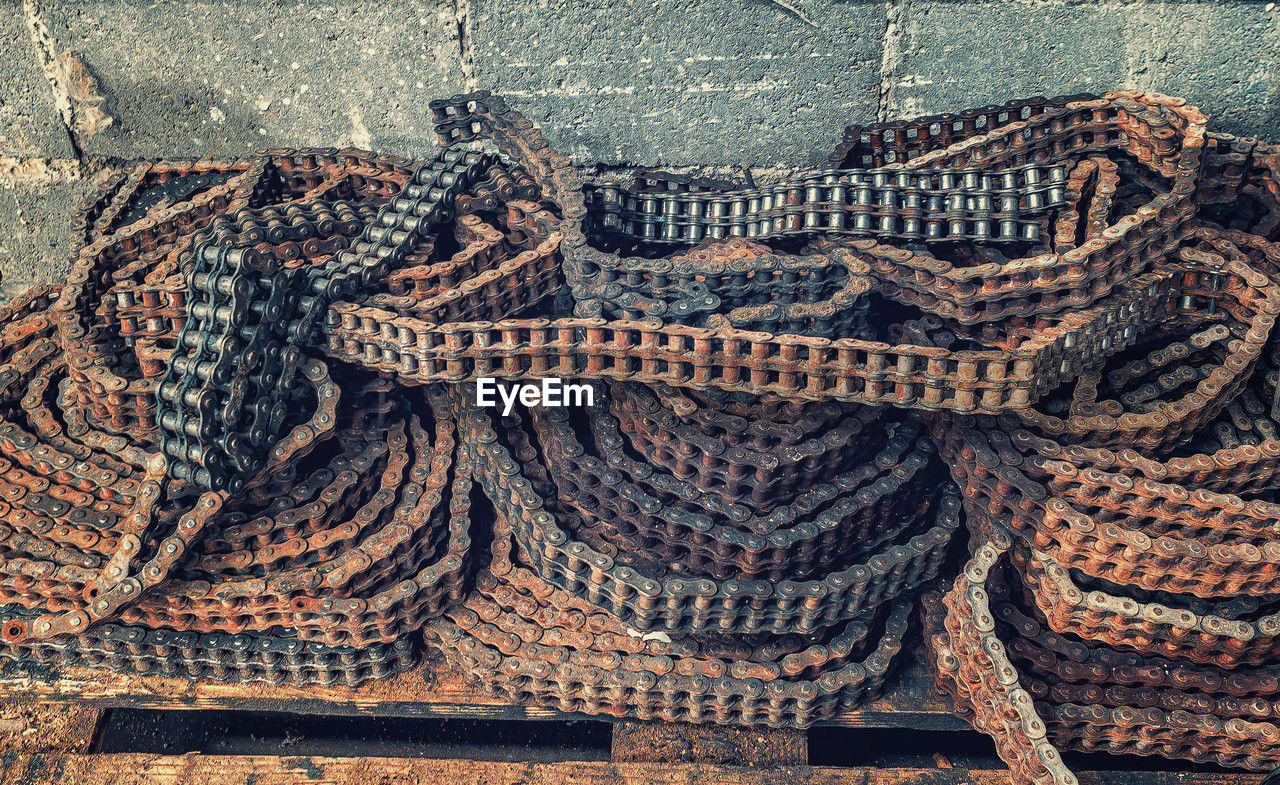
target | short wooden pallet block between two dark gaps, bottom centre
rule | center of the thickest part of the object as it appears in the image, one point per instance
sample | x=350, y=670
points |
x=687, y=743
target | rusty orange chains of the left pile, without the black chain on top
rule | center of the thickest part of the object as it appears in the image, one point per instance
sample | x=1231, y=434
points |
x=313, y=578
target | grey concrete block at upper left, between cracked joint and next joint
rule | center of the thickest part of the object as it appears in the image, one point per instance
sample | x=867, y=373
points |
x=226, y=77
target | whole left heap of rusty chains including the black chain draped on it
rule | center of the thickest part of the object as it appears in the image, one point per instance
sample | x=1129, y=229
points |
x=323, y=564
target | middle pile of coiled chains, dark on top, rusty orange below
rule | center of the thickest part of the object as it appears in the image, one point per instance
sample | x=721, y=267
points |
x=697, y=558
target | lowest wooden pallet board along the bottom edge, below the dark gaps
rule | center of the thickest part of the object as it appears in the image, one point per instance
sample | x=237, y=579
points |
x=259, y=770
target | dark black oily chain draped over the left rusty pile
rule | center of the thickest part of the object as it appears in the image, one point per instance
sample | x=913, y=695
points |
x=227, y=390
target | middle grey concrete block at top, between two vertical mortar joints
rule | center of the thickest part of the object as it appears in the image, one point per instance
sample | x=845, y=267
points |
x=719, y=83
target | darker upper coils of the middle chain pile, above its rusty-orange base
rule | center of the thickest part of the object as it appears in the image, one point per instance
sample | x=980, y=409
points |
x=668, y=554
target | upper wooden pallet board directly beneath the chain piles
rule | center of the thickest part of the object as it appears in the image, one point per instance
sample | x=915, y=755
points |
x=429, y=691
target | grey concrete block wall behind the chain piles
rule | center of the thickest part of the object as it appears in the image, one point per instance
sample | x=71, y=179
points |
x=88, y=85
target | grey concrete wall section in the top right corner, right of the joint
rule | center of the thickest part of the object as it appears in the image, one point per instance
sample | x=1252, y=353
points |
x=1222, y=56
